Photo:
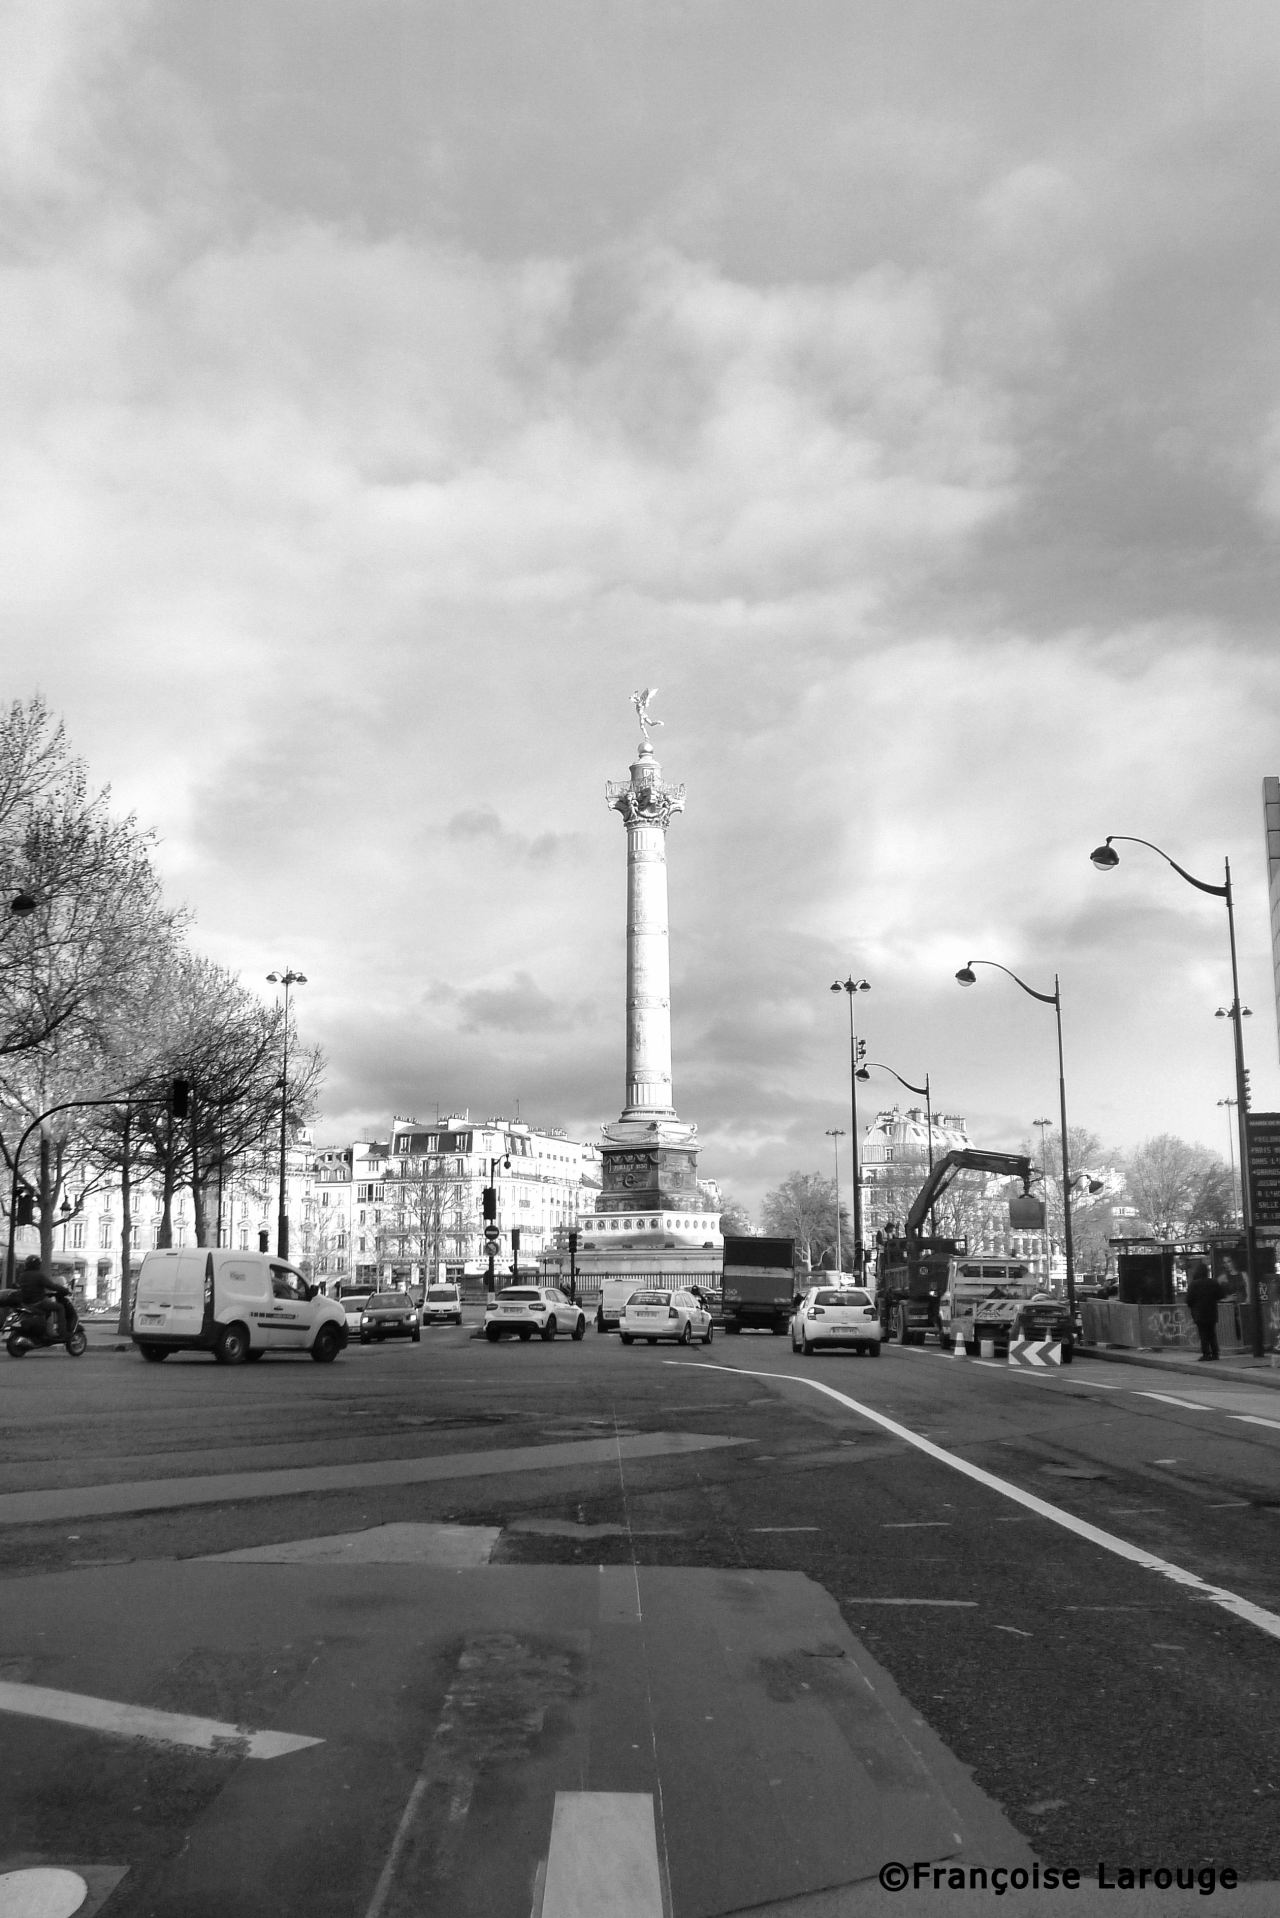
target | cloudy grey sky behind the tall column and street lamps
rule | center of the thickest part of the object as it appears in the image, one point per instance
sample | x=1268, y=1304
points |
x=391, y=386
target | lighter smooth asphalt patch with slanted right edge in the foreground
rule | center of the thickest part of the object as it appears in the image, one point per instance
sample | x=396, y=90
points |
x=463, y=1735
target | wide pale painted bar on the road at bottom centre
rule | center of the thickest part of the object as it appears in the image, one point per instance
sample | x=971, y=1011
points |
x=604, y=1858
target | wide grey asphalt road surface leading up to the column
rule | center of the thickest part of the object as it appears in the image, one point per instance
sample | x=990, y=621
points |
x=1060, y=1591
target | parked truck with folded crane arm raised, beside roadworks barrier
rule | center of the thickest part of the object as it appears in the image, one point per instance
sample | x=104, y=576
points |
x=928, y=1284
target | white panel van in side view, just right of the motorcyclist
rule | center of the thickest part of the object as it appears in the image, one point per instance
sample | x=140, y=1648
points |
x=235, y=1305
